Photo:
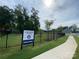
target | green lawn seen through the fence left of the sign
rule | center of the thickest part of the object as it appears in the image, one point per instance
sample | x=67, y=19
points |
x=13, y=40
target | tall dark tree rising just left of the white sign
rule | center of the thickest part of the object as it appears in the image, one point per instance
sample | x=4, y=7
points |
x=19, y=18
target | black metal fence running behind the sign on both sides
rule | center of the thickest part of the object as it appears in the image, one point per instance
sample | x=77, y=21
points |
x=14, y=39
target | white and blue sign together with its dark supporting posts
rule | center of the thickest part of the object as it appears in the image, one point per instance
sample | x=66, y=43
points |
x=27, y=37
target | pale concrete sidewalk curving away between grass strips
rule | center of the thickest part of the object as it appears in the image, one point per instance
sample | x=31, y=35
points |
x=64, y=51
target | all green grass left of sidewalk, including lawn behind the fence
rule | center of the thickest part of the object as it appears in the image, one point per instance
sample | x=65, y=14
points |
x=28, y=51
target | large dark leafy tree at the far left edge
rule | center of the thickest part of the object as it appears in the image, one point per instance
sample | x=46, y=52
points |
x=6, y=20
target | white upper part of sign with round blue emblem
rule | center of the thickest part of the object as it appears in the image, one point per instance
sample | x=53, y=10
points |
x=28, y=35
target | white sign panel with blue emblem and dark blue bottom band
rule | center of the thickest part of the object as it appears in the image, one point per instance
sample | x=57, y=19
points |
x=28, y=36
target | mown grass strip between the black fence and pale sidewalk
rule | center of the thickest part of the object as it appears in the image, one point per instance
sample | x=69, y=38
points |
x=29, y=51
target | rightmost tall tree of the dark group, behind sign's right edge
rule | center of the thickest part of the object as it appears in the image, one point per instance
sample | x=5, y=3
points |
x=35, y=19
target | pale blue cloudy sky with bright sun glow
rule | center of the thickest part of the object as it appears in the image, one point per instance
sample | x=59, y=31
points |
x=63, y=12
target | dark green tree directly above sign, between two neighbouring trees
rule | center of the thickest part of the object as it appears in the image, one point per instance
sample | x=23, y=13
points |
x=27, y=20
